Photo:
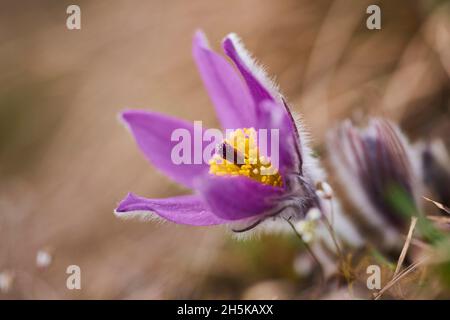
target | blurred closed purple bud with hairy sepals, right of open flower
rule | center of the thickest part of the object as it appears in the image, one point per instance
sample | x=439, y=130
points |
x=374, y=164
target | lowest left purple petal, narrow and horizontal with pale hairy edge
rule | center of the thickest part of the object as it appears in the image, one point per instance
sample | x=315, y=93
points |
x=188, y=210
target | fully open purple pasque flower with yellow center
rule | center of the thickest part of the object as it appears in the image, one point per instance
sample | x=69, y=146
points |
x=245, y=101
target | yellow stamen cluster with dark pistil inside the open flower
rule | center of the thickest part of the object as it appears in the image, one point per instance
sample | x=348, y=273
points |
x=239, y=156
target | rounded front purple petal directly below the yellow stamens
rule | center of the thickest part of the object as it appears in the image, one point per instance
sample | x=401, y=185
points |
x=237, y=198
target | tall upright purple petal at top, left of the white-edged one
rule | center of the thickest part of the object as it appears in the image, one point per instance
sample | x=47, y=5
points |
x=234, y=106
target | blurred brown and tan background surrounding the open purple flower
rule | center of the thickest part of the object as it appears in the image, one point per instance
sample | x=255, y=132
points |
x=65, y=160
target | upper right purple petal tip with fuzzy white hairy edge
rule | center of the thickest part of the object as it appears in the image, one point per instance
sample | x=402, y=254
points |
x=260, y=86
